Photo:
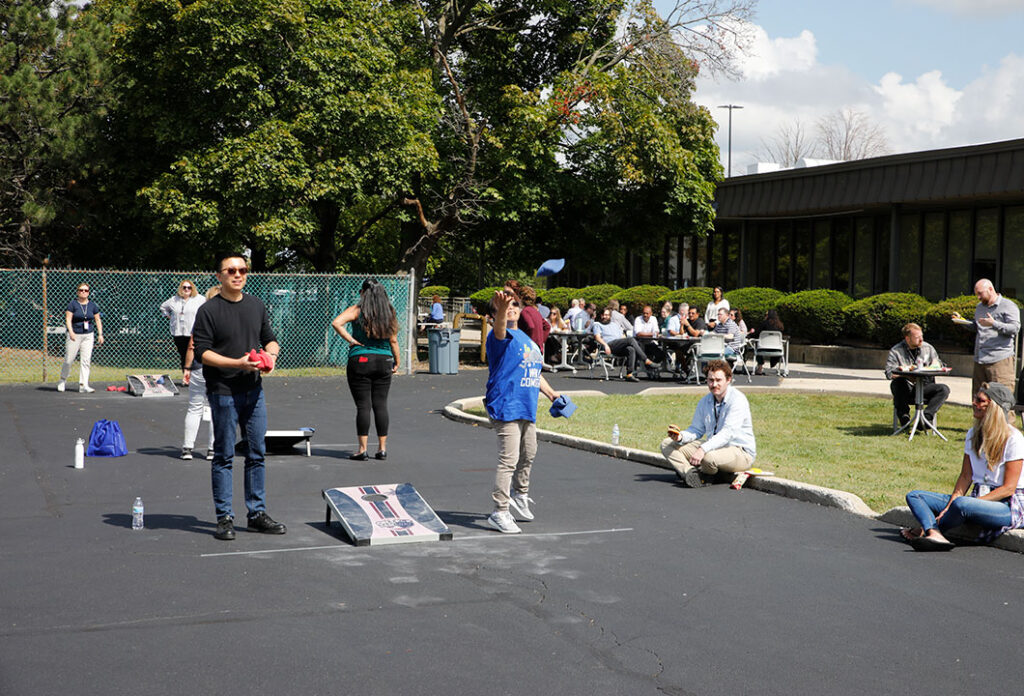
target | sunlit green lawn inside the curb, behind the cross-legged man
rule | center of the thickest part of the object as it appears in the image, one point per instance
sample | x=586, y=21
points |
x=840, y=443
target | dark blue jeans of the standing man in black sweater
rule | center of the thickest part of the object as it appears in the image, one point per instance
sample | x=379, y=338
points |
x=248, y=411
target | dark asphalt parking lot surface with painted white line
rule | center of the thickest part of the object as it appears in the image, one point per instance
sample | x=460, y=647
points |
x=626, y=584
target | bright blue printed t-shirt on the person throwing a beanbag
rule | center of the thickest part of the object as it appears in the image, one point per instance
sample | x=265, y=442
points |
x=515, y=377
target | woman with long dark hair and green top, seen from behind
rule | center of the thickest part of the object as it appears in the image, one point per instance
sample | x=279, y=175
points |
x=373, y=358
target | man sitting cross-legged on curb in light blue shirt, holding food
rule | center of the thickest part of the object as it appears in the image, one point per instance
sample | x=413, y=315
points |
x=723, y=419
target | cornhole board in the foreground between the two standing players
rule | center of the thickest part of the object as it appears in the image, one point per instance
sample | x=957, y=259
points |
x=386, y=513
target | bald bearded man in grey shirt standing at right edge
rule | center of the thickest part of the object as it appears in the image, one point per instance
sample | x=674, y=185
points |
x=997, y=320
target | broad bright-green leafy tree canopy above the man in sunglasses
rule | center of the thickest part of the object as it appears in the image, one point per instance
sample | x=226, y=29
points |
x=286, y=126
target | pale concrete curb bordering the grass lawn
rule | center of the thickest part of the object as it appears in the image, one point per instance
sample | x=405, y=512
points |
x=831, y=498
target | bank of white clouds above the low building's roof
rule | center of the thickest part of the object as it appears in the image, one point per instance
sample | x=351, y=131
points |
x=784, y=81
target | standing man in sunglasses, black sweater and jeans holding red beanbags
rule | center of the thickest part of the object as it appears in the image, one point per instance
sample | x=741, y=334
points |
x=228, y=327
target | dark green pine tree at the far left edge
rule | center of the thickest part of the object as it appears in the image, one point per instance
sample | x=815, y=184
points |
x=54, y=88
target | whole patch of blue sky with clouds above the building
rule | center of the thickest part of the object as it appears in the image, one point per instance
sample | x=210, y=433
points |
x=931, y=73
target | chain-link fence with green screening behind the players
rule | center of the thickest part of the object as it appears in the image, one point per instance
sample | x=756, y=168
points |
x=138, y=337
